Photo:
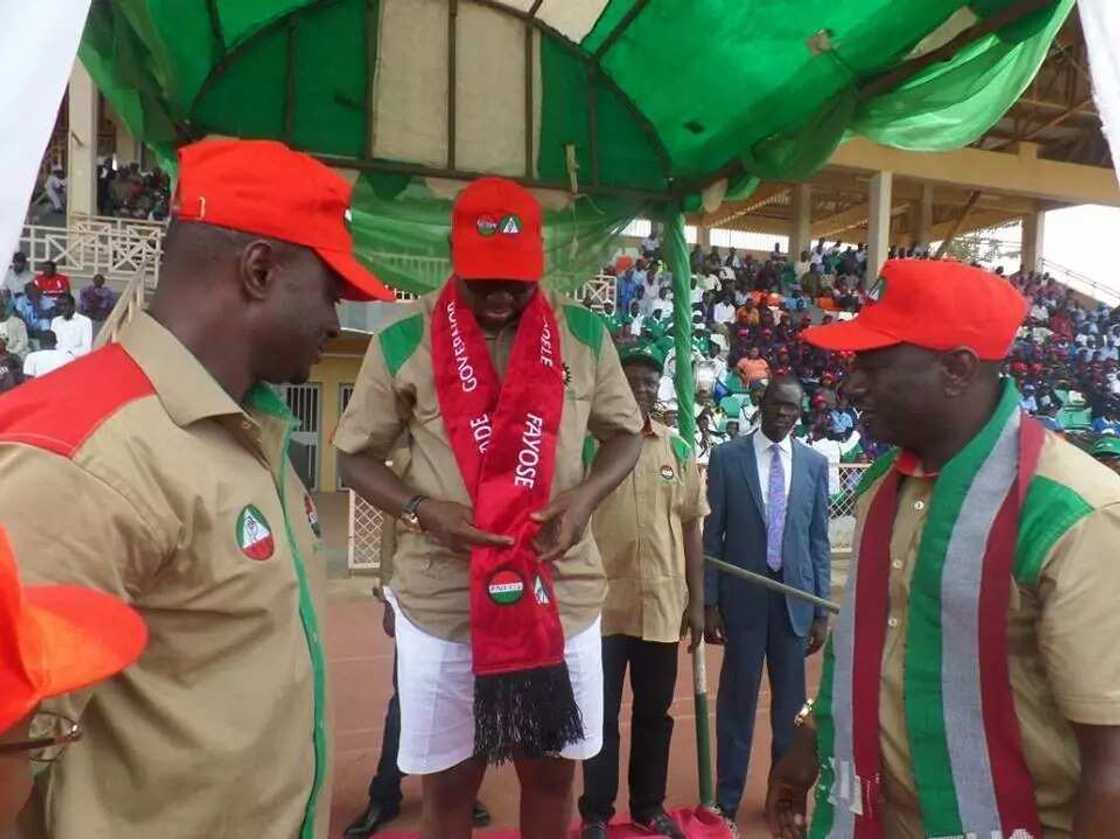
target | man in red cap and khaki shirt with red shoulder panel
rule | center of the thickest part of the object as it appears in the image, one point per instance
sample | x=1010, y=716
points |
x=156, y=470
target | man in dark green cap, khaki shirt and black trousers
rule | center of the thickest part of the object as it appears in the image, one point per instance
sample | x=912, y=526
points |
x=649, y=533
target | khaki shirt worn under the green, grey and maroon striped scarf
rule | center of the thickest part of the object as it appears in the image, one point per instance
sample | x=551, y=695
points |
x=1063, y=655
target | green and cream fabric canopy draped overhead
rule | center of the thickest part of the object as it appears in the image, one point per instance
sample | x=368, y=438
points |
x=612, y=109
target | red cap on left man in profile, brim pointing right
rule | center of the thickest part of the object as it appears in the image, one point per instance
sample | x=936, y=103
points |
x=263, y=187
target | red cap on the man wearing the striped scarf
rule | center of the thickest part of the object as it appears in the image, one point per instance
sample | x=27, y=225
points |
x=934, y=304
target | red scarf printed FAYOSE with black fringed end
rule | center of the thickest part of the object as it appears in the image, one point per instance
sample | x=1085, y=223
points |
x=505, y=437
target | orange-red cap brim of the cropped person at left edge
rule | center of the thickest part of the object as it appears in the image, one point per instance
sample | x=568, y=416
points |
x=85, y=637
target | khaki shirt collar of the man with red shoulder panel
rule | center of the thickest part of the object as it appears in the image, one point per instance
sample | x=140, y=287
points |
x=188, y=390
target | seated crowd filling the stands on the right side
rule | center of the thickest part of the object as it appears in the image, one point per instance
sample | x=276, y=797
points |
x=748, y=315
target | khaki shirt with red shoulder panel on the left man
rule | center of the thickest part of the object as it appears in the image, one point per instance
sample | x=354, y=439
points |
x=132, y=471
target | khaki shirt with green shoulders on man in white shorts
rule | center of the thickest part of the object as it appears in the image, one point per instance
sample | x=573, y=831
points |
x=396, y=393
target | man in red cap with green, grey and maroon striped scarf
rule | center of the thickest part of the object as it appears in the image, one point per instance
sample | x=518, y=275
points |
x=972, y=685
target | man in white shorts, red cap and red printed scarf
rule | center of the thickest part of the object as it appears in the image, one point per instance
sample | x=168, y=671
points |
x=497, y=583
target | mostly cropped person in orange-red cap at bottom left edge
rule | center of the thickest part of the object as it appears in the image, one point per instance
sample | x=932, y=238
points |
x=54, y=640
